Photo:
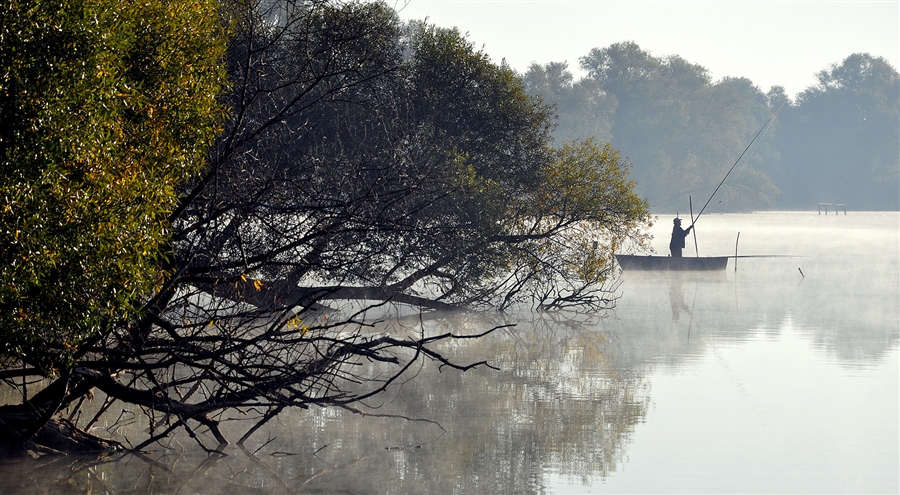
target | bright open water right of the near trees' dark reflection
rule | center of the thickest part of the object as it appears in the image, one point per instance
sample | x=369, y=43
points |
x=781, y=376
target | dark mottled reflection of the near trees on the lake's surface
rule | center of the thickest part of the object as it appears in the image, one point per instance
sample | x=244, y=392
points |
x=557, y=407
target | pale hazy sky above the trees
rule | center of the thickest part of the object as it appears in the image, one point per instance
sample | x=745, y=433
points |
x=771, y=43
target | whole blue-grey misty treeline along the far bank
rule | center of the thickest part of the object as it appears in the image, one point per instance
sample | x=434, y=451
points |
x=836, y=143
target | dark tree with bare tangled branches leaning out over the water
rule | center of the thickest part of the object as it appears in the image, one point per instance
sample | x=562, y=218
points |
x=365, y=167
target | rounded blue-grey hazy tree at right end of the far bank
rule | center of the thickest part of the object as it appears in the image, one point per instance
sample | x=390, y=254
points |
x=840, y=142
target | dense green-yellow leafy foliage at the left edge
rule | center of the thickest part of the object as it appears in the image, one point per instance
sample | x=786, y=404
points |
x=106, y=110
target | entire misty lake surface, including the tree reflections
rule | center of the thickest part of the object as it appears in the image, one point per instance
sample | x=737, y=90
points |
x=779, y=376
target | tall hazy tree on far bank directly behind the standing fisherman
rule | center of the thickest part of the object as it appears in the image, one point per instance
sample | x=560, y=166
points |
x=681, y=131
